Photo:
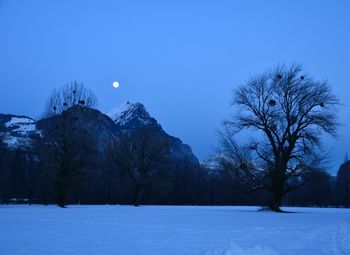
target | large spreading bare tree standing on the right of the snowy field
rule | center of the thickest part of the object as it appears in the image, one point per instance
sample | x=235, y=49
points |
x=289, y=112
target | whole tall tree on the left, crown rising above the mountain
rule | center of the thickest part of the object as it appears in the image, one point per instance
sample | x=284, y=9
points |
x=66, y=146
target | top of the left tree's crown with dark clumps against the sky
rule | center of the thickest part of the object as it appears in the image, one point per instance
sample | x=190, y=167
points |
x=69, y=95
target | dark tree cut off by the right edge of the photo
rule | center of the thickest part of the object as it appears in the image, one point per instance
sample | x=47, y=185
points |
x=343, y=185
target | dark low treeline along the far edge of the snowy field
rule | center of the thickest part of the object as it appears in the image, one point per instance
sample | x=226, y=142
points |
x=25, y=179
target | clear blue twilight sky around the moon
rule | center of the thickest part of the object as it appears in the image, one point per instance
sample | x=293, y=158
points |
x=182, y=59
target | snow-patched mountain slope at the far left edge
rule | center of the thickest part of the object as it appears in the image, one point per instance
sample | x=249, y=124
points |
x=17, y=131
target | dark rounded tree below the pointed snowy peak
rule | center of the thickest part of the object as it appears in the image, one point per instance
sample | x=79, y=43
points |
x=141, y=155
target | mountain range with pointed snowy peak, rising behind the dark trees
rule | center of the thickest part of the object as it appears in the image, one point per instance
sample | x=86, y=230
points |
x=19, y=131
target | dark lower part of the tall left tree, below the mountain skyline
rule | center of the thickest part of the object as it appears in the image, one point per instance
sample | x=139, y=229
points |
x=70, y=148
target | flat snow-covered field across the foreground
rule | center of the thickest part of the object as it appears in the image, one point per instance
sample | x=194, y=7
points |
x=168, y=230
